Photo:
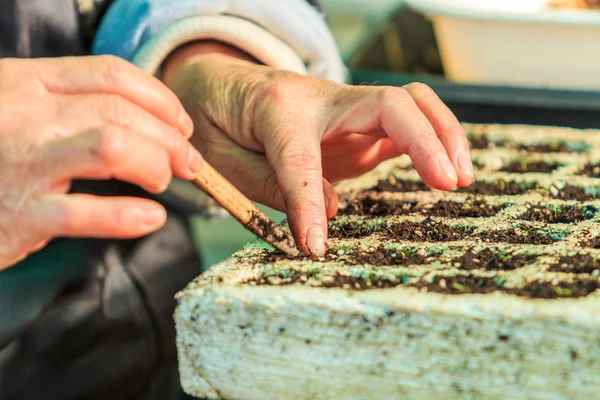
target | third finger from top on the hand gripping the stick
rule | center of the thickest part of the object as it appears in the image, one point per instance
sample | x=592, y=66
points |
x=109, y=152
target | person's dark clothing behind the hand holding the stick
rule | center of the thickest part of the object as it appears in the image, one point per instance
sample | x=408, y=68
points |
x=89, y=319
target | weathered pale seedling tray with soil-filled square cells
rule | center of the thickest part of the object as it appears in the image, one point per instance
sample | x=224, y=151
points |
x=488, y=292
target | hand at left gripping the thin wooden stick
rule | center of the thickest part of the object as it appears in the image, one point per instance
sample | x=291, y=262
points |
x=84, y=118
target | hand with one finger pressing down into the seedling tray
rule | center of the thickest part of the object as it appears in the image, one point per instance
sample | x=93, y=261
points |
x=284, y=139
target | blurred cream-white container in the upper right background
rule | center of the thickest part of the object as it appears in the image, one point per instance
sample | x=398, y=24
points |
x=516, y=42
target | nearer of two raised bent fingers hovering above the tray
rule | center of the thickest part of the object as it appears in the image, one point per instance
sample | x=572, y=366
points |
x=371, y=110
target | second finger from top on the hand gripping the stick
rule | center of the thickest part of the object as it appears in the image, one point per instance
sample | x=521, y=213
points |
x=98, y=110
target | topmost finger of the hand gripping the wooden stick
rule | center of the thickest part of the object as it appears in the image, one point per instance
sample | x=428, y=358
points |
x=112, y=75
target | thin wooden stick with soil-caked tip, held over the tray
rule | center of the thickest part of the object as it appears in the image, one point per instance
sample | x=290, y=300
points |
x=242, y=209
